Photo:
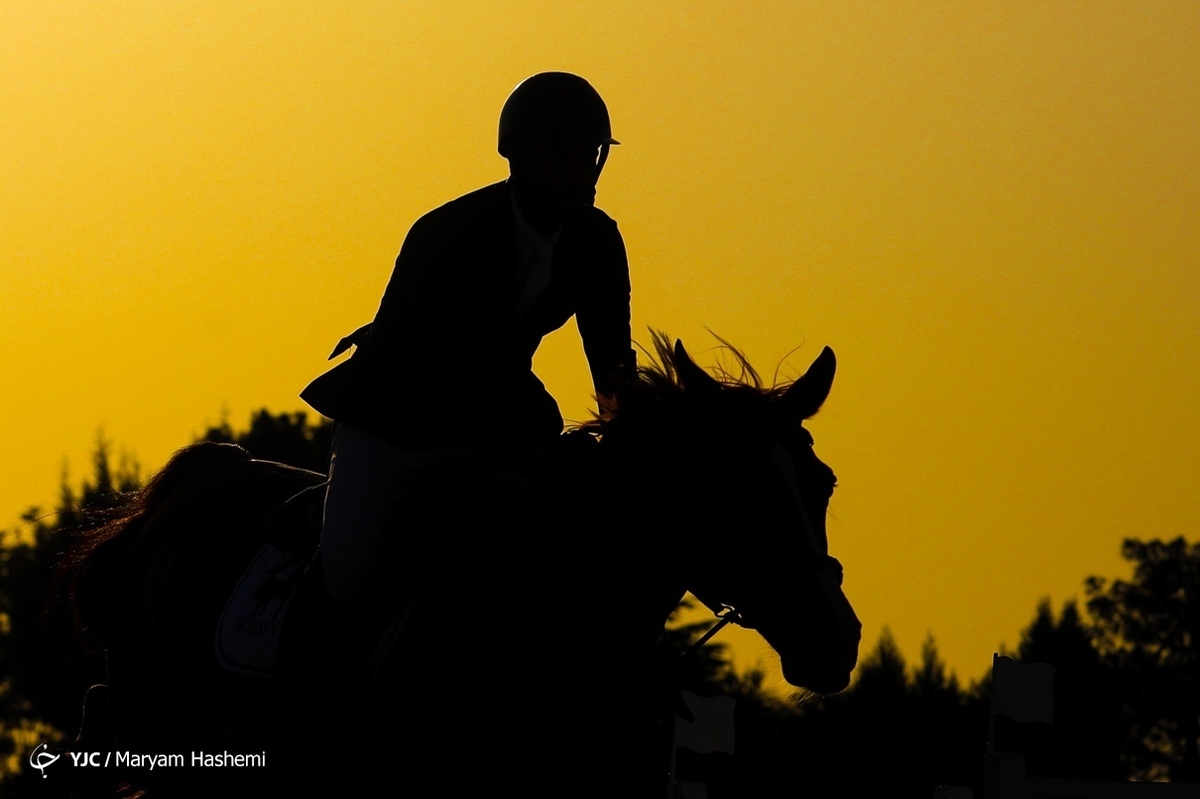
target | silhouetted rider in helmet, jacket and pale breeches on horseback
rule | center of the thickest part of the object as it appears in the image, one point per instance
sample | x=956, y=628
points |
x=443, y=376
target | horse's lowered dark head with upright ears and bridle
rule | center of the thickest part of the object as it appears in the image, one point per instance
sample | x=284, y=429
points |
x=758, y=534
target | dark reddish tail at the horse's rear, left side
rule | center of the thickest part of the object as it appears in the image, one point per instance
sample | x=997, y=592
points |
x=92, y=573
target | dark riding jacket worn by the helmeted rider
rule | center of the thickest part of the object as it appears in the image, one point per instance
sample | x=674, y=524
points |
x=448, y=359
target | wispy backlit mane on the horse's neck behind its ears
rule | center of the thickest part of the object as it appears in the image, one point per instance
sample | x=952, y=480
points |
x=659, y=392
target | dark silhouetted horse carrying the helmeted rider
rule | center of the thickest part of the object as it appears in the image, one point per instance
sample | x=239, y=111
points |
x=521, y=647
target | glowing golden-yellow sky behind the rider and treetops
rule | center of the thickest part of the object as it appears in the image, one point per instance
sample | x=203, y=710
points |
x=988, y=211
